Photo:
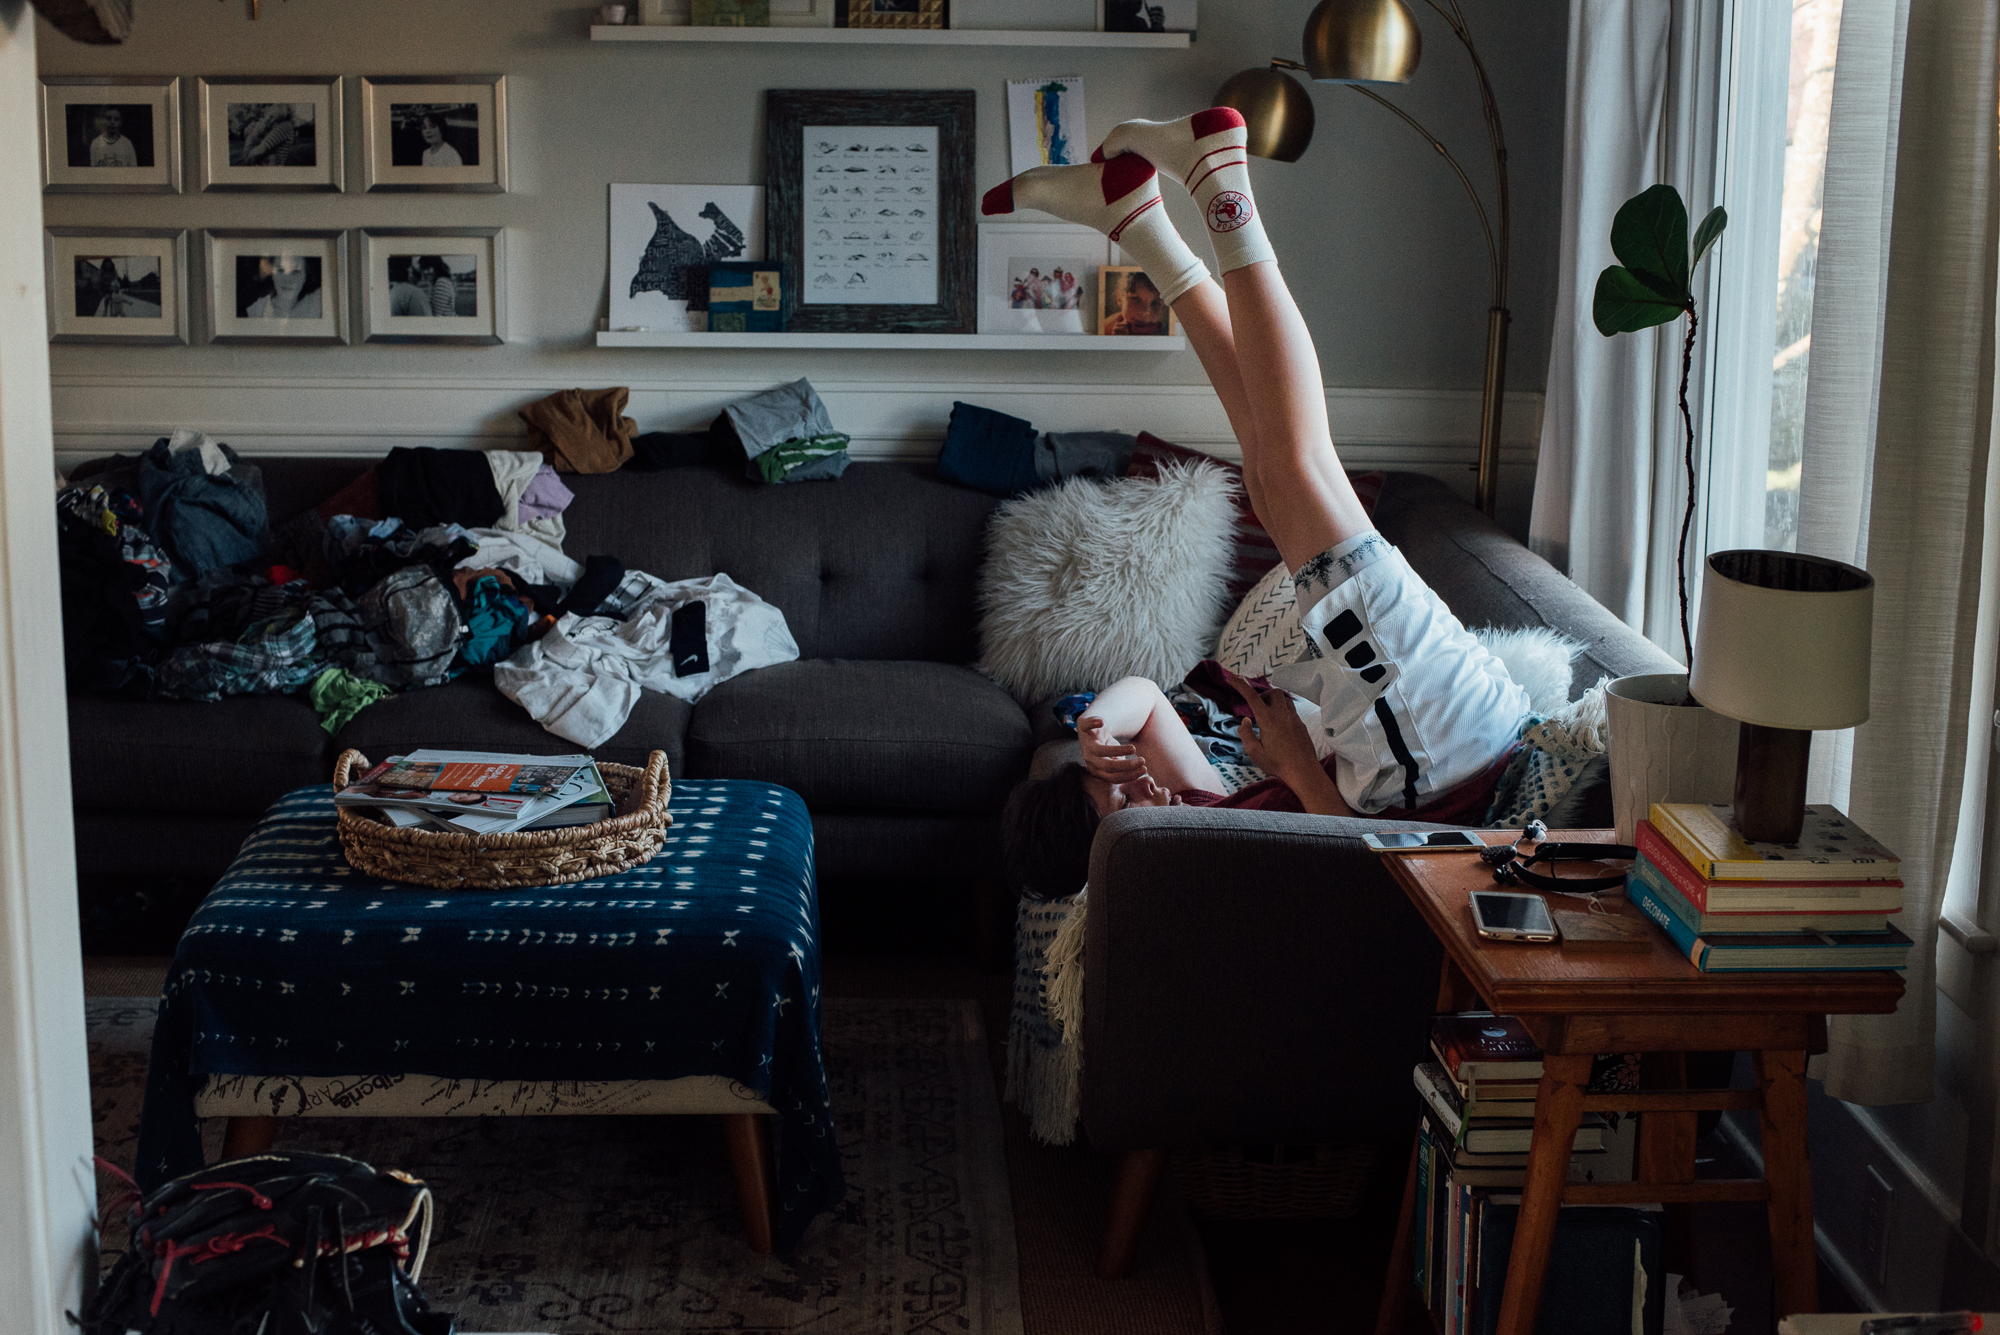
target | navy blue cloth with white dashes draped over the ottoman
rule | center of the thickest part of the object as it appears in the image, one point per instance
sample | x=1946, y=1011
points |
x=703, y=962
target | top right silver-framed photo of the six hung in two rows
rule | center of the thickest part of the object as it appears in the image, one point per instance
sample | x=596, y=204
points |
x=443, y=133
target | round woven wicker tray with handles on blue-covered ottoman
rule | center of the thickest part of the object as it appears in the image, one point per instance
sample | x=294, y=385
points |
x=529, y=858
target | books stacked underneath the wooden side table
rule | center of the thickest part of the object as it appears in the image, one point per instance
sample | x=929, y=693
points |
x=1471, y=1160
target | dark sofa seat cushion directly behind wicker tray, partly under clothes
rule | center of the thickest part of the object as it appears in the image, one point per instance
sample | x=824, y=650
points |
x=473, y=716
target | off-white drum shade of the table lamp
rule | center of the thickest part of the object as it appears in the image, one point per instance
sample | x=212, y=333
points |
x=1785, y=641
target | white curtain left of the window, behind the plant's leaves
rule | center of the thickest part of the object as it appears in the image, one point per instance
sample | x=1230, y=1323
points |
x=1595, y=473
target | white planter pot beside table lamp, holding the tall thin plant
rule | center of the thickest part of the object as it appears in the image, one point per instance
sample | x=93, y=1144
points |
x=1665, y=750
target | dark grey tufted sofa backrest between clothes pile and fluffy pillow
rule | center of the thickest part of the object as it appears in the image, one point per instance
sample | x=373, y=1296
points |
x=881, y=565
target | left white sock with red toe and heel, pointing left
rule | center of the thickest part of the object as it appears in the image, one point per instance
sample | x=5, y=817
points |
x=1121, y=201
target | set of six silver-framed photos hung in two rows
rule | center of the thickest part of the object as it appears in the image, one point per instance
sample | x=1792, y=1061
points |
x=249, y=285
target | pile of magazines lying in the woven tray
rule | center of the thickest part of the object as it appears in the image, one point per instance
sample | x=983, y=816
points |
x=483, y=792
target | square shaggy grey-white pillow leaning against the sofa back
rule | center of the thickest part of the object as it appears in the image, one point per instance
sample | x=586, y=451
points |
x=1089, y=583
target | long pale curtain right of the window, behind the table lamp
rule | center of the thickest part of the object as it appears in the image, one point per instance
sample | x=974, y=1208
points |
x=1899, y=433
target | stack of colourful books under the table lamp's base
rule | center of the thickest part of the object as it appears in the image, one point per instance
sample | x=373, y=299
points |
x=1739, y=906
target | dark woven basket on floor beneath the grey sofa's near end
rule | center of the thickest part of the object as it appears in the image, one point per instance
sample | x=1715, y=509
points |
x=1273, y=1182
